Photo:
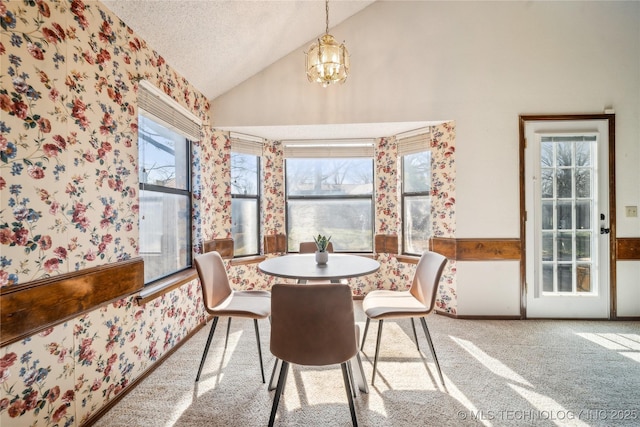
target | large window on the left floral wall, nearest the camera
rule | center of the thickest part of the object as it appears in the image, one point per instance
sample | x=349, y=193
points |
x=164, y=157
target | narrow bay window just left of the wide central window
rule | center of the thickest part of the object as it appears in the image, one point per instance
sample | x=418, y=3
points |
x=245, y=202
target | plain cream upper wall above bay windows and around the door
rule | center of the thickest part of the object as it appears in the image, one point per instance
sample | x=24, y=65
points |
x=481, y=64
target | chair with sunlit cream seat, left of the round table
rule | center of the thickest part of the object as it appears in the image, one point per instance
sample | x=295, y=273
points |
x=220, y=300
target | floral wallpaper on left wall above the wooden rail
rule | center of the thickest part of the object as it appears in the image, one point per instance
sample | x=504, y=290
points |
x=68, y=136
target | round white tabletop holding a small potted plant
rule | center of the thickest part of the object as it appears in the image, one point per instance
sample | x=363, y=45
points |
x=303, y=267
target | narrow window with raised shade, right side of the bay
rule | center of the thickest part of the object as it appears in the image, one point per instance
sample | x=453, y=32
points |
x=416, y=189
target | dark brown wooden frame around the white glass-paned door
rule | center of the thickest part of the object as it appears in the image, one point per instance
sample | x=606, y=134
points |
x=610, y=118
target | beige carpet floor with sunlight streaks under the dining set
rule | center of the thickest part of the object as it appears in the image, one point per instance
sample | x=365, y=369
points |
x=497, y=373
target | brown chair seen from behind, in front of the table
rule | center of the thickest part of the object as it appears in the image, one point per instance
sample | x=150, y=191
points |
x=313, y=326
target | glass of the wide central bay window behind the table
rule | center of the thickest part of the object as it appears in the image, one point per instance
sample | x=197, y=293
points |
x=332, y=197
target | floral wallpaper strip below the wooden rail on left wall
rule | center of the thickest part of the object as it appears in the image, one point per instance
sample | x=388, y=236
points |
x=63, y=375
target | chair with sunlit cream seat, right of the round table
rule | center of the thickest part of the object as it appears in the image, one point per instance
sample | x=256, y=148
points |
x=418, y=301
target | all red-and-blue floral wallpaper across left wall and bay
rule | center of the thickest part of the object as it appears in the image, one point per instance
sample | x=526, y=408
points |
x=69, y=74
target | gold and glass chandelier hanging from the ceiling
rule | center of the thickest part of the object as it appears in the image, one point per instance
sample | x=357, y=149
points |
x=327, y=61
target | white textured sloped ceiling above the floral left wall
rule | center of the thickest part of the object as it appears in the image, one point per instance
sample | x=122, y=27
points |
x=217, y=44
